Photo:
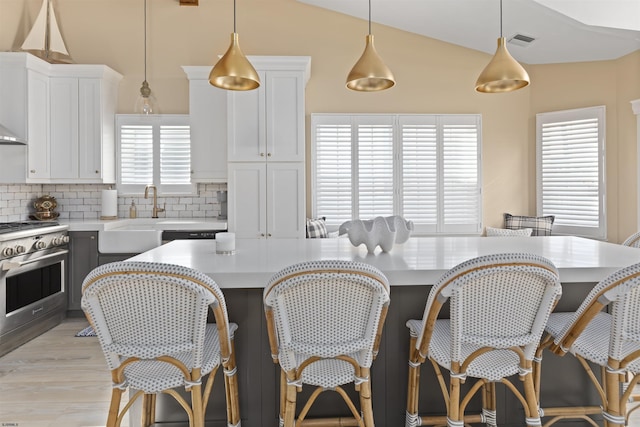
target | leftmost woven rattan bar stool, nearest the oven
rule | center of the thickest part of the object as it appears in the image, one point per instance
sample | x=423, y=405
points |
x=151, y=321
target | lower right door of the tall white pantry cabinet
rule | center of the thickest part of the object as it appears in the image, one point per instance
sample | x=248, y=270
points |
x=285, y=200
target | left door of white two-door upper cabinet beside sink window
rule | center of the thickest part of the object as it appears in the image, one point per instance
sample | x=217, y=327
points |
x=64, y=127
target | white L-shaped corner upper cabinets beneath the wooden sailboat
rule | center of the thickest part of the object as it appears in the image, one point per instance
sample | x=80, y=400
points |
x=66, y=112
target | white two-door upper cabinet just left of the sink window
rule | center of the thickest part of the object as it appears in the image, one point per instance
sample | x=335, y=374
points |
x=82, y=131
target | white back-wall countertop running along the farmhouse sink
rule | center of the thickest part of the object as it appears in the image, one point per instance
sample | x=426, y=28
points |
x=163, y=223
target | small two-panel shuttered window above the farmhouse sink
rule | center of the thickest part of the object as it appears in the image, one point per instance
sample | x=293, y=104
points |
x=154, y=149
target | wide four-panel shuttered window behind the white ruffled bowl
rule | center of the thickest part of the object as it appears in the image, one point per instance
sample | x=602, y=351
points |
x=423, y=167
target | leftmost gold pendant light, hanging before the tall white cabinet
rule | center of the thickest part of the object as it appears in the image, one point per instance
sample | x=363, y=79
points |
x=234, y=71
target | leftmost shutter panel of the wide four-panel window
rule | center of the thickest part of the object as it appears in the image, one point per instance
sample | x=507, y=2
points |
x=332, y=169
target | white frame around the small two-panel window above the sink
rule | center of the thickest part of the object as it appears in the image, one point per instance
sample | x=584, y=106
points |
x=156, y=121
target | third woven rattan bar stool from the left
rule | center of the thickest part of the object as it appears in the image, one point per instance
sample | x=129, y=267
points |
x=499, y=305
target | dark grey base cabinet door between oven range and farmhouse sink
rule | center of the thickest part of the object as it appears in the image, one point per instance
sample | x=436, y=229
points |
x=83, y=257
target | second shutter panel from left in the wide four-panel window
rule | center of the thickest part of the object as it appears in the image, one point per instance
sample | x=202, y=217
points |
x=375, y=167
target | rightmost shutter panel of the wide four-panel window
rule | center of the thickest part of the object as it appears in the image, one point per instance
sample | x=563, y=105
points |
x=461, y=196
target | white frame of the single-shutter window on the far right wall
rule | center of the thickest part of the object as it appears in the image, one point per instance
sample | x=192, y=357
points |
x=596, y=112
